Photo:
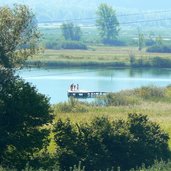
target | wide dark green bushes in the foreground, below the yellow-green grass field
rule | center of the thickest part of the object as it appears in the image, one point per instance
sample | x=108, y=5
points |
x=102, y=144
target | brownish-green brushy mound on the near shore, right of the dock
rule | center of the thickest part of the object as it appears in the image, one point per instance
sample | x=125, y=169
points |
x=135, y=97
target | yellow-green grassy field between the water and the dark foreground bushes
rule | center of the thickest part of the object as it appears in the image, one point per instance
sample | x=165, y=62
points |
x=156, y=106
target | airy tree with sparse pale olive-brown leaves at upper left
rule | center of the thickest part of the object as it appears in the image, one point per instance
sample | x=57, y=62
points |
x=18, y=35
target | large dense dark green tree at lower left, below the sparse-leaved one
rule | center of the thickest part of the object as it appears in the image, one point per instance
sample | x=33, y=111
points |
x=24, y=117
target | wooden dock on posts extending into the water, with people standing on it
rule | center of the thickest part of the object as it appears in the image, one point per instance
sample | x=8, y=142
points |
x=85, y=94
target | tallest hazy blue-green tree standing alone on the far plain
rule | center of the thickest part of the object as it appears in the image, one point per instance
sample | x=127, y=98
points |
x=107, y=23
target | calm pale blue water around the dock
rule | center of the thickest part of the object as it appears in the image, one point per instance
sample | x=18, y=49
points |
x=55, y=82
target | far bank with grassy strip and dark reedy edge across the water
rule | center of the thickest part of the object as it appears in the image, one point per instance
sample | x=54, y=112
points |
x=101, y=56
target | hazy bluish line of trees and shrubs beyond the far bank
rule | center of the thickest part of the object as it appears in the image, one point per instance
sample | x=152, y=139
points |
x=108, y=33
